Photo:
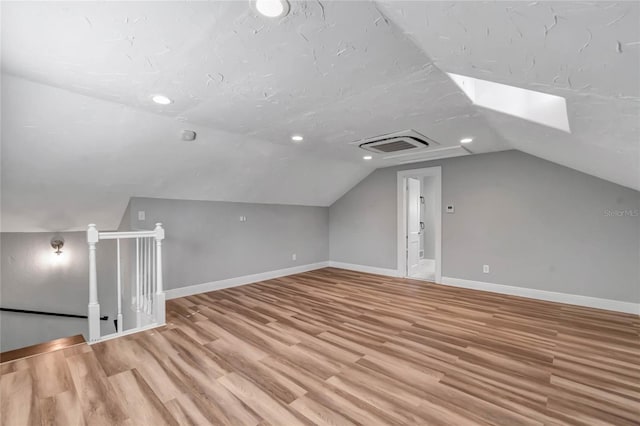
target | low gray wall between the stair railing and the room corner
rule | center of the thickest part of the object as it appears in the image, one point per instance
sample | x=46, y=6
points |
x=205, y=240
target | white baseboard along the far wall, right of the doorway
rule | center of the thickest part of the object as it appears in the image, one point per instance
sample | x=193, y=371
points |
x=551, y=296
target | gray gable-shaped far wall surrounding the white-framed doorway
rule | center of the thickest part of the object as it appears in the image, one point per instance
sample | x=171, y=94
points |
x=537, y=224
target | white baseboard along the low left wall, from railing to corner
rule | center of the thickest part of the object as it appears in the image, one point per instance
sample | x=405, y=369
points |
x=238, y=281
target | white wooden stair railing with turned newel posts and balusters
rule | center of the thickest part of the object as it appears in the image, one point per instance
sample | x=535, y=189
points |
x=148, y=298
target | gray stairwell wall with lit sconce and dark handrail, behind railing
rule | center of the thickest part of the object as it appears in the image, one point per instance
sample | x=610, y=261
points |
x=33, y=278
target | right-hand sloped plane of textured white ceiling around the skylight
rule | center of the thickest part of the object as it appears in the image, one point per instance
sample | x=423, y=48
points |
x=586, y=52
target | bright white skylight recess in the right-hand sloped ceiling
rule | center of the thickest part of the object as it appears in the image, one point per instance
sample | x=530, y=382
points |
x=541, y=108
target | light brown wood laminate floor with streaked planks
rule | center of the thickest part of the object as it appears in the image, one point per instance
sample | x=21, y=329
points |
x=338, y=347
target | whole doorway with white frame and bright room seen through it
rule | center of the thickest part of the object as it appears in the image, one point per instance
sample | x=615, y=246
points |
x=420, y=224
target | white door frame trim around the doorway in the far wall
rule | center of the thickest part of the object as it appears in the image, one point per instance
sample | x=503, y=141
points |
x=435, y=172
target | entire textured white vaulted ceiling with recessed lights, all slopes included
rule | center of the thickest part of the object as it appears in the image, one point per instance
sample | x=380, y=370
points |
x=80, y=134
